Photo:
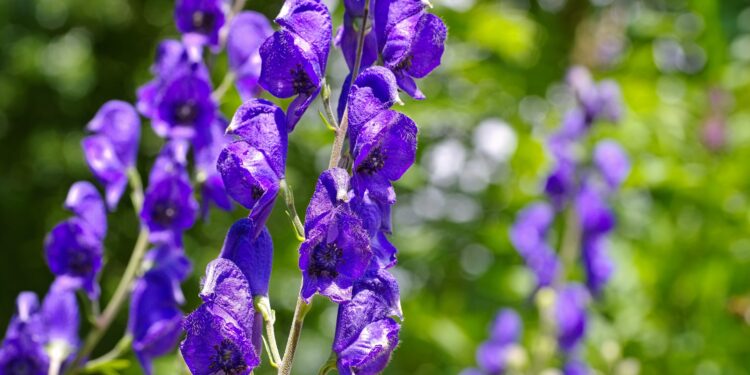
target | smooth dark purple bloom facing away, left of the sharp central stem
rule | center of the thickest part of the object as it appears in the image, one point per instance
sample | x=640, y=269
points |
x=251, y=249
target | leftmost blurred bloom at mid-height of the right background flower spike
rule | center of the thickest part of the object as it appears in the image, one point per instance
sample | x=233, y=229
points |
x=529, y=237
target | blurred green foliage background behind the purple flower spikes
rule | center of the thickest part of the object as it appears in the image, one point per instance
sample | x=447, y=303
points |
x=680, y=299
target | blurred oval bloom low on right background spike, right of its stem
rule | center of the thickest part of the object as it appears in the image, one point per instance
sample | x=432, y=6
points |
x=570, y=315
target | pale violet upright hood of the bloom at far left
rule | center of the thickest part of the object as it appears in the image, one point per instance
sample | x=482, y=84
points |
x=85, y=202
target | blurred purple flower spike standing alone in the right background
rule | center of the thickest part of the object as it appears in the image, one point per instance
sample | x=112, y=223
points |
x=577, y=189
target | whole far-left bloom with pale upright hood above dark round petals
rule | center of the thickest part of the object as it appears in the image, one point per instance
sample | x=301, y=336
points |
x=74, y=247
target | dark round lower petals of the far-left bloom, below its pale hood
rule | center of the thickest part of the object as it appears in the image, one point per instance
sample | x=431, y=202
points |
x=72, y=249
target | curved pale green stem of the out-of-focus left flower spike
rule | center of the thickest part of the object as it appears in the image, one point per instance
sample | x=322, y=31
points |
x=123, y=288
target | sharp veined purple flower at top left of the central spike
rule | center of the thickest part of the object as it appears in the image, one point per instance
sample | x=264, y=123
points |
x=294, y=58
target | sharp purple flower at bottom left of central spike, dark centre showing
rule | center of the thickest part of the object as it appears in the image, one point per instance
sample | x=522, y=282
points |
x=223, y=333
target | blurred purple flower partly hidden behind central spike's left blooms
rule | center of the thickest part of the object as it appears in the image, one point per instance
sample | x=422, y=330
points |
x=206, y=154
